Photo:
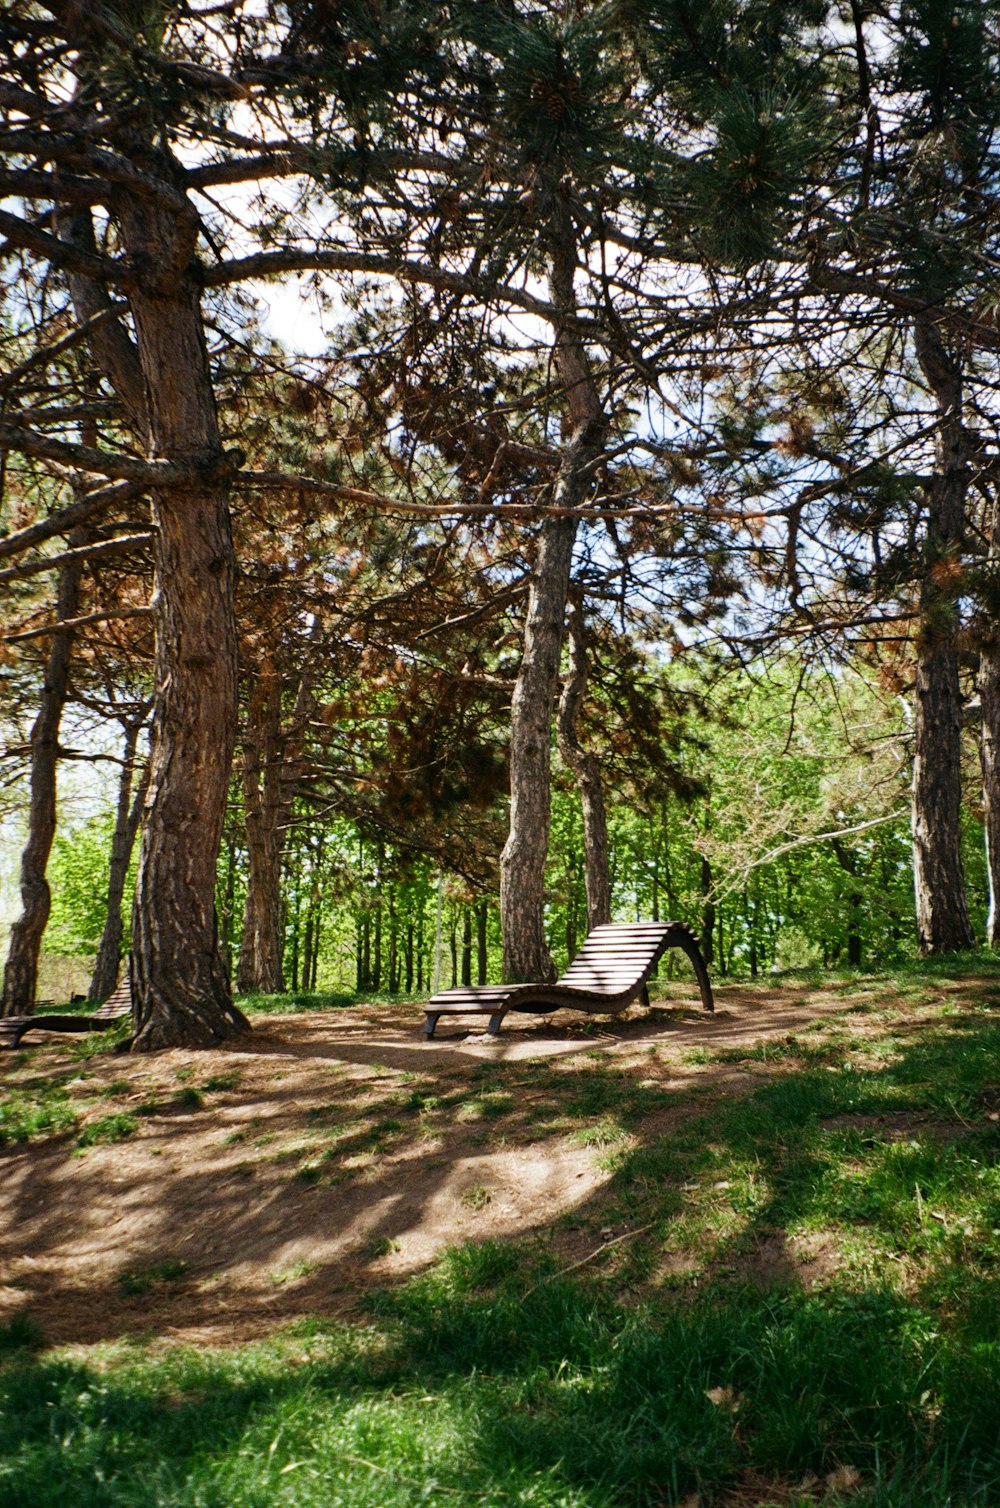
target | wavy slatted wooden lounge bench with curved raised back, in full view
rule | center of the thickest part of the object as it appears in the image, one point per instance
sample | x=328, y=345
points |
x=612, y=970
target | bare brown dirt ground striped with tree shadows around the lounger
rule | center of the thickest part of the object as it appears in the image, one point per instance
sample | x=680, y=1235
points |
x=333, y=1153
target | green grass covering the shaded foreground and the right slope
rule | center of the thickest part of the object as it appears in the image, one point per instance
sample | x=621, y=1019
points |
x=681, y=1350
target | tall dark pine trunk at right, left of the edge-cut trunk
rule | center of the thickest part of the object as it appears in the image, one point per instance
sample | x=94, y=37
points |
x=943, y=924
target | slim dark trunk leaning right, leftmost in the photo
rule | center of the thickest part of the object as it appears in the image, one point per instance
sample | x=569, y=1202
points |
x=20, y=975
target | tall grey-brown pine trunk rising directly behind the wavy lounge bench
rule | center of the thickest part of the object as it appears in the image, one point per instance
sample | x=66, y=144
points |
x=523, y=863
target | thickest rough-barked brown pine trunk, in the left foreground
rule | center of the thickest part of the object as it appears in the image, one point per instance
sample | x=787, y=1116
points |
x=182, y=992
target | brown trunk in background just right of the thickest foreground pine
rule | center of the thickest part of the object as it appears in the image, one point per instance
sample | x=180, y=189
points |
x=260, y=967
